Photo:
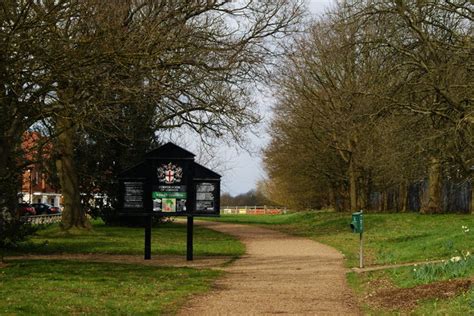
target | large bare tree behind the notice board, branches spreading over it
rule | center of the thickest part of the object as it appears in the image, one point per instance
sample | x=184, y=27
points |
x=192, y=64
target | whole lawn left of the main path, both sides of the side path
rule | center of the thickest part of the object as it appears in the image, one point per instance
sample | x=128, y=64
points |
x=58, y=287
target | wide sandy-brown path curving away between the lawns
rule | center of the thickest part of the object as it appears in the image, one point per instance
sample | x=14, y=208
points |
x=279, y=274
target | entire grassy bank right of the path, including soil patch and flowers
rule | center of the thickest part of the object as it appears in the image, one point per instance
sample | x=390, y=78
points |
x=434, y=289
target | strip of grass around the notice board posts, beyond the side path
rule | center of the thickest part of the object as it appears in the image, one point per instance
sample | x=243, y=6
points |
x=167, y=238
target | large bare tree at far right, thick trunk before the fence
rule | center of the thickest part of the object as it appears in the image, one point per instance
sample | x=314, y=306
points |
x=430, y=45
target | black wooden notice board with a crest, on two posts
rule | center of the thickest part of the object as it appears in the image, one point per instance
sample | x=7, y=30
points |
x=169, y=183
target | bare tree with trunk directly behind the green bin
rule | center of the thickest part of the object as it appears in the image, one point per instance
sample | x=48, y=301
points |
x=324, y=92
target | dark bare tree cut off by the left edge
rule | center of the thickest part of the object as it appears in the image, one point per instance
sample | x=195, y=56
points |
x=25, y=83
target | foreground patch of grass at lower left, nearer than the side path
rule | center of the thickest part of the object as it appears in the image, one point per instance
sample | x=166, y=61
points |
x=40, y=287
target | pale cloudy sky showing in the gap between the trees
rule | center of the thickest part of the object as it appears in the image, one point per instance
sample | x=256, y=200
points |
x=245, y=170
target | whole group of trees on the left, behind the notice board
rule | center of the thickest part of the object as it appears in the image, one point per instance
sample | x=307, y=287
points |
x=103, y=80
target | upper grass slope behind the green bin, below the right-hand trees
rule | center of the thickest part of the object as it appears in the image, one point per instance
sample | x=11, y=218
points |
x=388, y=238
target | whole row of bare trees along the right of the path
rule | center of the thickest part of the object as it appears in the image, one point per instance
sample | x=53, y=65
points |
x=375, y=108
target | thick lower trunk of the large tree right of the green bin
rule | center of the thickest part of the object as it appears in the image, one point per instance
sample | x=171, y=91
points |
x=434, y=188
